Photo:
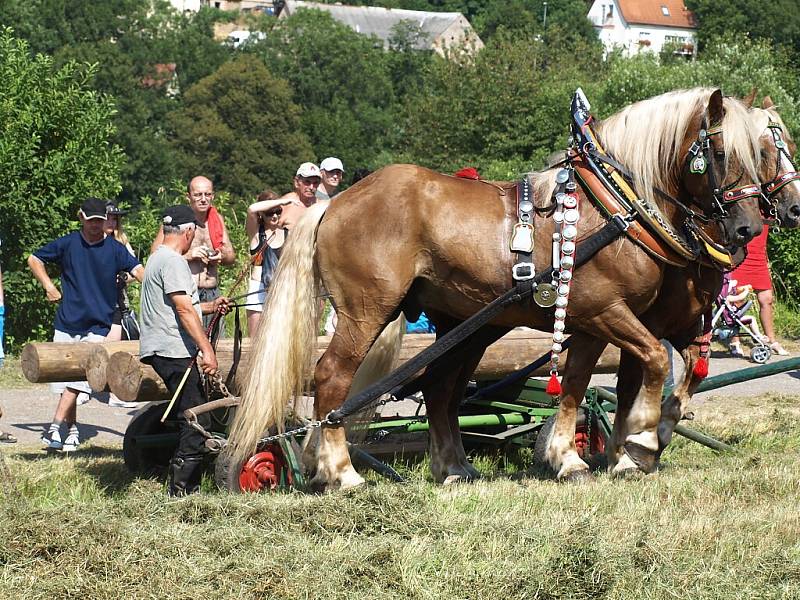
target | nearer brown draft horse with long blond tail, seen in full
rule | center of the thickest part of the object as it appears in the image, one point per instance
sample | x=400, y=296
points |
x=408, y=239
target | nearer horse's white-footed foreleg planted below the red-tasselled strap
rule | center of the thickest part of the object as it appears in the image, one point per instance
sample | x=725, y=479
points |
x=562, y=453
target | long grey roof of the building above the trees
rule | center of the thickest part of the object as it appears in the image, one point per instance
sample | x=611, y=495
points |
x=378, y=21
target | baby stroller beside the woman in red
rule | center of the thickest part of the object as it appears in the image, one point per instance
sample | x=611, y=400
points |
x=730, y=320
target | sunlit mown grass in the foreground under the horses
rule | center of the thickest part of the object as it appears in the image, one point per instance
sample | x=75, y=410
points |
x=707, y=526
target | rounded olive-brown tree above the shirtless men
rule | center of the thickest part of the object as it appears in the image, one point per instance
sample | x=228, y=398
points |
x=241, y=128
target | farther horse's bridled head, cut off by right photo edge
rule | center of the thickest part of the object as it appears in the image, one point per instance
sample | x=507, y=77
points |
x=780, y=180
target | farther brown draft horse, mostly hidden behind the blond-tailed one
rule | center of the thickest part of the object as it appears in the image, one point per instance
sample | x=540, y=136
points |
x=687, y=294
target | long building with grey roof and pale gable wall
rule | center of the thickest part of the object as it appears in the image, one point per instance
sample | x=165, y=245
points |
x=438, y=31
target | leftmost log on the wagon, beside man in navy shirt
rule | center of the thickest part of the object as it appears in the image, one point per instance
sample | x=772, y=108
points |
x=45, y=362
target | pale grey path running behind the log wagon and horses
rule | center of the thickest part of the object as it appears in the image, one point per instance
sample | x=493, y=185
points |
x=27, y=412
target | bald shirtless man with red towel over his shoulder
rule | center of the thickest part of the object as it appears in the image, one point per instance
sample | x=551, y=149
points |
x=211, y=245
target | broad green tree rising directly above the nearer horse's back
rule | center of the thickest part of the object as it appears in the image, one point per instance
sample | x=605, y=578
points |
x=507, y=107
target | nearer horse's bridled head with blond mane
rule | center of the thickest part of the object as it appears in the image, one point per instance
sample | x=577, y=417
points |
x=695, y=153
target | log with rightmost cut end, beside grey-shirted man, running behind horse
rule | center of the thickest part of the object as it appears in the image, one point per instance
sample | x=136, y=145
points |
x=132, y=381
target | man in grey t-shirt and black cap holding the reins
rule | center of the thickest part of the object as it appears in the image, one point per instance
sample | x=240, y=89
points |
x=171, y=335
